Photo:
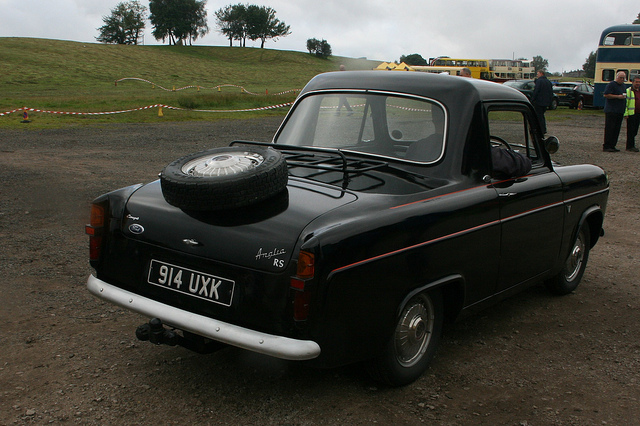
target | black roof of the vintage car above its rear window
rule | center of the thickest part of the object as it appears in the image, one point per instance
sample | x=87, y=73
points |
x=450, y=90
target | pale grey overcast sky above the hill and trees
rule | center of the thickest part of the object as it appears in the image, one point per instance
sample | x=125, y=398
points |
x=562, y=31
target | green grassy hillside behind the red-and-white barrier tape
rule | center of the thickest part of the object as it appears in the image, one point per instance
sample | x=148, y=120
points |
x=80, y=77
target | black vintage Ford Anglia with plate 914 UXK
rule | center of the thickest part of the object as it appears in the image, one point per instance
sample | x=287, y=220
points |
x=374, y=216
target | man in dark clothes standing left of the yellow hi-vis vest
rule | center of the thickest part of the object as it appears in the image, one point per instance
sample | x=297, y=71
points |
x=614, y=108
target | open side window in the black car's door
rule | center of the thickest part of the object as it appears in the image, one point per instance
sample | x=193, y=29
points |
x=512, y=129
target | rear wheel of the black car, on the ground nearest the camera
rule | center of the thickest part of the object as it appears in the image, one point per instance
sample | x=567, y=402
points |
x=413, y=344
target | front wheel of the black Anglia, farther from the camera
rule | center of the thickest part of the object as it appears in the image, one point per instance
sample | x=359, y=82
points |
x=574, y=266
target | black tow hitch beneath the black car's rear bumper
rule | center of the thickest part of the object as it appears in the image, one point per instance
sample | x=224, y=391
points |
x=155, y=332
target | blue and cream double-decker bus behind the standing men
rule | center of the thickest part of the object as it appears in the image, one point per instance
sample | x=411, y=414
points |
x=618, y=50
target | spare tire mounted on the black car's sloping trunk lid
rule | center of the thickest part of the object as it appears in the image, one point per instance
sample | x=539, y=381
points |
x=224, y=178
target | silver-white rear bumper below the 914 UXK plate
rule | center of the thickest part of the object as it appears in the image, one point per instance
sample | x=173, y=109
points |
x=269, y=344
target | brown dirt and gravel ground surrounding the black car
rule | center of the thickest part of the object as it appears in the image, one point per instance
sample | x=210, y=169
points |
x=66, y=357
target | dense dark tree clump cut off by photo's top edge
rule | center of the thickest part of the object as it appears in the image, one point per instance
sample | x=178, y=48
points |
x=178, y=20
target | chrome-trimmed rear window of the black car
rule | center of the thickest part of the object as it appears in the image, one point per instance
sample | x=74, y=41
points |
x=399, y=127
